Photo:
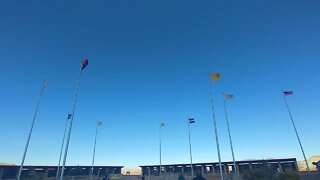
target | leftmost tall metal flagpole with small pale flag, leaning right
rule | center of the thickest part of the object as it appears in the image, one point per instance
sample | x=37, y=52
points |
x=45, y=84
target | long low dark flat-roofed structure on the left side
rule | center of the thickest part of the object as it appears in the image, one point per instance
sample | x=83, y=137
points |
x=11, y=171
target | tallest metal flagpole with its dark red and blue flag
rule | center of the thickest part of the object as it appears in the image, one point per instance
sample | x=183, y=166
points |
x=83, y=65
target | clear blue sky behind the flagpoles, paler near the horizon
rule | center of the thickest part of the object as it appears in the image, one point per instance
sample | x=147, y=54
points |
x=148, y=63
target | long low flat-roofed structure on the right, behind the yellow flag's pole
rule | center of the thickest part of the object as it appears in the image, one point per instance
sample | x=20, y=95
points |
x=282, y=165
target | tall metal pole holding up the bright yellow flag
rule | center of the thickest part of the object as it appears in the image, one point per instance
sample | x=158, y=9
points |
x=215, y=127
